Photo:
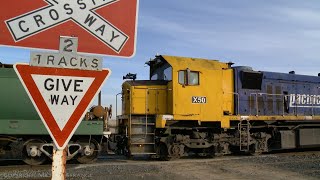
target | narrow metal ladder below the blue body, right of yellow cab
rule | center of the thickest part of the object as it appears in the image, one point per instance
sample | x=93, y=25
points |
x=244, y=135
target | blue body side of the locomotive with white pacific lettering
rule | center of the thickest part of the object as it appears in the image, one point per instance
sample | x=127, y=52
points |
x=270, y=93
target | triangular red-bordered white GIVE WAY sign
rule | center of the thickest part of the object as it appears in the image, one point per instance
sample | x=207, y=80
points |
x=61, y=96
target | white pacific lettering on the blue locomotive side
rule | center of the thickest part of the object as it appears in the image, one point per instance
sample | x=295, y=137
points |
x=304, y=100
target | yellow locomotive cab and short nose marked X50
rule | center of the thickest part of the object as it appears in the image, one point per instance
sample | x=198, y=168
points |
x=180, y=89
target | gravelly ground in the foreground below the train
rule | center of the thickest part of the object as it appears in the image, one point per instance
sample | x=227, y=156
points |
x=285, y=165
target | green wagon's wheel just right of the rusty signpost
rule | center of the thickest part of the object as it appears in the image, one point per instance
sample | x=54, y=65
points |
x=90, y=151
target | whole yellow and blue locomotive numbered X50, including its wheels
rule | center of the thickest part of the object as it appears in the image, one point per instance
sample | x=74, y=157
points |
x=207, y=107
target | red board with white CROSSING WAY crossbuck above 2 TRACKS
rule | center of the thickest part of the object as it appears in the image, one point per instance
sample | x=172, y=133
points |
x=103, y=27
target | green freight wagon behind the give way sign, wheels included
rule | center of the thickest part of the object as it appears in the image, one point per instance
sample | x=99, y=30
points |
x=23, y=135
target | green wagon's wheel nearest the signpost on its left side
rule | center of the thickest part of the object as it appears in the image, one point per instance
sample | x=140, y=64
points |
x=35, y=159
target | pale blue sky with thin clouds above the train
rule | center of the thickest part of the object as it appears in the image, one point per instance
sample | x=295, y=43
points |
x=274, y=35
